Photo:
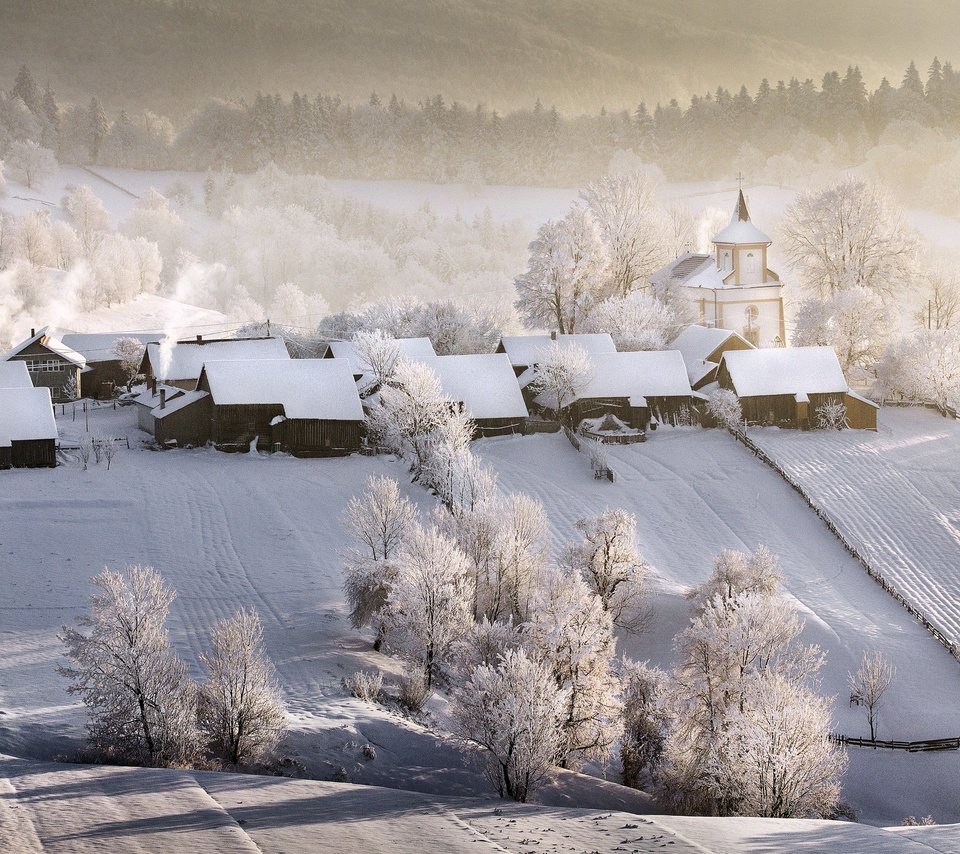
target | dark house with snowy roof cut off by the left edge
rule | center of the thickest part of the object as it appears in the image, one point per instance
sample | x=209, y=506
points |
x=28, y=431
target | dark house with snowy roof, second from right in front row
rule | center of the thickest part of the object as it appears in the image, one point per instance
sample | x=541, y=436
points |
x=636, y=387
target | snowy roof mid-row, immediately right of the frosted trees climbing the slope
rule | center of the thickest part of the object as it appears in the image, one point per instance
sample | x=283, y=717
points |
x=485, y=384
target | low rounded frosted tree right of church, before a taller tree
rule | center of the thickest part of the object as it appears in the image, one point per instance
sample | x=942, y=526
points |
x=856, y=322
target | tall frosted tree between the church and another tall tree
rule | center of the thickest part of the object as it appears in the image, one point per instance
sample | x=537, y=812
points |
x=633, y=225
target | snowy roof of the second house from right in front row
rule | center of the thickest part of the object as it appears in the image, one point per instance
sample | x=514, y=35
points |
x=647, y=373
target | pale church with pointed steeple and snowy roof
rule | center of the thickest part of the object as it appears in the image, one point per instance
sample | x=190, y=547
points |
x=733, y=288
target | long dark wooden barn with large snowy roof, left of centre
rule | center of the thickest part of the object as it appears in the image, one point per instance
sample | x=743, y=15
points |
x=307, y=407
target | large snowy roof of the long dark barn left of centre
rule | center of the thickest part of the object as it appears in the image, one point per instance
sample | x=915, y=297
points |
x=305, y=388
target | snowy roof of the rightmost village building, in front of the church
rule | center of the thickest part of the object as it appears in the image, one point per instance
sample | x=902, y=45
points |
x=785, y=370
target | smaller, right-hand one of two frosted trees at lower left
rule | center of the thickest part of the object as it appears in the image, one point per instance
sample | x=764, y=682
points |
x=241, y=710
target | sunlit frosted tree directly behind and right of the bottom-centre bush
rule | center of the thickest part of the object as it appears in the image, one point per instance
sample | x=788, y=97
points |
x=571, y=631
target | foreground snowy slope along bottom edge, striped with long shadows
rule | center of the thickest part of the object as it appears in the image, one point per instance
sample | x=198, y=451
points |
x=52, y=808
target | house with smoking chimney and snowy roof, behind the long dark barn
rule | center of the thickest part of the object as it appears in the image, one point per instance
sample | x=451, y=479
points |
x=178, y=363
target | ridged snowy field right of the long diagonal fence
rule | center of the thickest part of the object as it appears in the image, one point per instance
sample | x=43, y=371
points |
x=895, y=495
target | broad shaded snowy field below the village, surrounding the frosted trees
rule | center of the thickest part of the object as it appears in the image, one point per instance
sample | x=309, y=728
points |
x=232, y=530
